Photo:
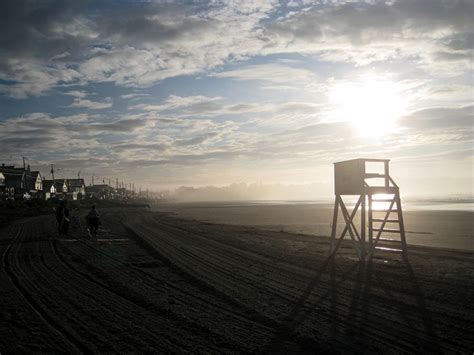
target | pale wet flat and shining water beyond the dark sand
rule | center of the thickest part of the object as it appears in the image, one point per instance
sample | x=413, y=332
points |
x=435, y=223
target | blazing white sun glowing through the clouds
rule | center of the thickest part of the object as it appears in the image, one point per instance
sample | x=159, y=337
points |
x=372, y=105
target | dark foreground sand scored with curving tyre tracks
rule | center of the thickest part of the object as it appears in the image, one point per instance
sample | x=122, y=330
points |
x=157, y=283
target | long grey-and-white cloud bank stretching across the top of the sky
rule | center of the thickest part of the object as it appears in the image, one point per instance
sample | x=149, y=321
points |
x=138, y=45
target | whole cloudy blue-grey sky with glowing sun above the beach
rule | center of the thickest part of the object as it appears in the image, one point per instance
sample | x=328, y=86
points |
x=196, y=93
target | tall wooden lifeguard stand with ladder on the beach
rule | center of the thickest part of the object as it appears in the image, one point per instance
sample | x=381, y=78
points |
x=384, y=223
